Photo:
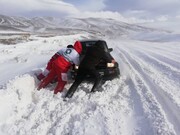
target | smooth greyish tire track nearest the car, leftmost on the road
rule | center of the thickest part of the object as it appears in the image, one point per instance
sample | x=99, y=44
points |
x=143, y=123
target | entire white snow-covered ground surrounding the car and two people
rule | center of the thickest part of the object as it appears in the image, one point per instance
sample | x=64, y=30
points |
x=144, y=100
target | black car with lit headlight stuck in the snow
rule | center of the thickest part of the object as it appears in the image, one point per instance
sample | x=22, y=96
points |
x=108, y=71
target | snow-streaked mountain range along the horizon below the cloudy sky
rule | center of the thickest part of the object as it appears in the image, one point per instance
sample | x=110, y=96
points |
x=95, y=26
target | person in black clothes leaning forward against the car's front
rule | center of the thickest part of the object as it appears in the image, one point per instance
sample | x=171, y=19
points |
x=88, y=66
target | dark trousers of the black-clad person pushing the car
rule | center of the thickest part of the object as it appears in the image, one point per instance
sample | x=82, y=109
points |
x=81, y=75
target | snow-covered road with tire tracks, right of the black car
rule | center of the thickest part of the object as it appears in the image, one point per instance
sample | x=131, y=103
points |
x=154, y=78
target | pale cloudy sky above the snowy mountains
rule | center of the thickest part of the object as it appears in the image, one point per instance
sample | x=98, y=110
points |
x=144, y=9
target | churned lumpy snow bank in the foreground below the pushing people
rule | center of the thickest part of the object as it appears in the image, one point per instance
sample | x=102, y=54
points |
x=28, y=111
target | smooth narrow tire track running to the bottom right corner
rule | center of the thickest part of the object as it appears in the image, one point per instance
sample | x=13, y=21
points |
x=170, y=109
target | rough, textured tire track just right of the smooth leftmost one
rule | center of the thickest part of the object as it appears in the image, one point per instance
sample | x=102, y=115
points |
x=150, y=108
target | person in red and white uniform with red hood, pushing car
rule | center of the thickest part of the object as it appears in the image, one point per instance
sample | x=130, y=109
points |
x=59, y=66
